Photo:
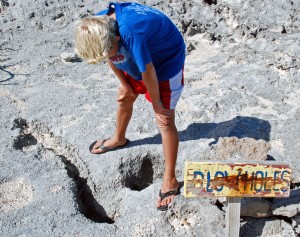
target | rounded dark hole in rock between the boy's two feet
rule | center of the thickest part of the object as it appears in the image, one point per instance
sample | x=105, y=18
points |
x=139, y=179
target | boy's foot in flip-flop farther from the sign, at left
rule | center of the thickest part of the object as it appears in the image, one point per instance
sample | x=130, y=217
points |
x=101, y=146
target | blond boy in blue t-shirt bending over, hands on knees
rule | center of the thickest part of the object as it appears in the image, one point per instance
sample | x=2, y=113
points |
x=146, y=52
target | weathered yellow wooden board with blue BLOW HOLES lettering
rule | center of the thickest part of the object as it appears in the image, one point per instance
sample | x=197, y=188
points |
x=264, y=179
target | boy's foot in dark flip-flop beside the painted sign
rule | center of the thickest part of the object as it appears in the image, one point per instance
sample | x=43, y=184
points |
x=169, y=190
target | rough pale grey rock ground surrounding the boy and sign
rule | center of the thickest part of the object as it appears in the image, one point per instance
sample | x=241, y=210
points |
x=241, y=84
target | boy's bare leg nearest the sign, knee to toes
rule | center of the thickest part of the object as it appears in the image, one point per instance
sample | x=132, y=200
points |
x=170, y=142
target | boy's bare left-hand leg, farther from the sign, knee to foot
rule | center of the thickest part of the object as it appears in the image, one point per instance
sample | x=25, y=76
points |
x=124, y=113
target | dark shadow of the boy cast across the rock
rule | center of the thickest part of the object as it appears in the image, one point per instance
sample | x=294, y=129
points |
x=239, y=127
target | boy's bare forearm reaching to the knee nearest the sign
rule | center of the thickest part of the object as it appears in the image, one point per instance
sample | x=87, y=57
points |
x=151, y=83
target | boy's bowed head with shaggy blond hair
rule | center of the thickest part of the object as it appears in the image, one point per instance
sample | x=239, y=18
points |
x=95, y=37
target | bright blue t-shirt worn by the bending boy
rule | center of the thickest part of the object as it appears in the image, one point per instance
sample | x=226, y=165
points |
x=147, y=35
